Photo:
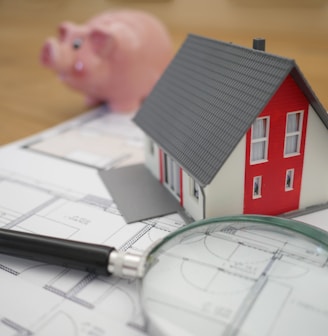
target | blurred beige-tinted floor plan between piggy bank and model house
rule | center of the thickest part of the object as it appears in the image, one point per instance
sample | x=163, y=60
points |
x=109, y=140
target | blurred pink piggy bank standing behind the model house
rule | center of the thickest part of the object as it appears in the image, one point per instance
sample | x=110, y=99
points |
x=116, y=57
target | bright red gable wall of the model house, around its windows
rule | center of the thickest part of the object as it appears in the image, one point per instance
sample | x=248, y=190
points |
x=275, y=200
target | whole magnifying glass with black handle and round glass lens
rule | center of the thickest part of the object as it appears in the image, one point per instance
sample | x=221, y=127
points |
x=240, y=275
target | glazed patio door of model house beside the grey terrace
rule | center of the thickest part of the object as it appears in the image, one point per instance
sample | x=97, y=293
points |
x=171, y=175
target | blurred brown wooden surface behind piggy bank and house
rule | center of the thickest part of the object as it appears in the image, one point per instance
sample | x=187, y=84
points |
x=33, y=99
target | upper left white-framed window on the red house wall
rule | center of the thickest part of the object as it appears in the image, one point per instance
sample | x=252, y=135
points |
x=259, y=141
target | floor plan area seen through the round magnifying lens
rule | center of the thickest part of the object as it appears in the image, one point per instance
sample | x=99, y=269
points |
x=241, y=280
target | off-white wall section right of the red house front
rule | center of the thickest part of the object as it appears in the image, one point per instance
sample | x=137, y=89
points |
x=314, y=188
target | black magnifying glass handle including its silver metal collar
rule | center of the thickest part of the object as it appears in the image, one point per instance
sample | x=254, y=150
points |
x=94, y=258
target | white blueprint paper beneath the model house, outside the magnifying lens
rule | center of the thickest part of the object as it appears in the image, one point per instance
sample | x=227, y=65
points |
x=50, y=185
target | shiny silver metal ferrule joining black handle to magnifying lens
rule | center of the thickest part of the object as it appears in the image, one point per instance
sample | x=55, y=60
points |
x=125, y=265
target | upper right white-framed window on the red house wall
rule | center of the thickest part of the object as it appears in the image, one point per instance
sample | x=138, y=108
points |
x=293, y=133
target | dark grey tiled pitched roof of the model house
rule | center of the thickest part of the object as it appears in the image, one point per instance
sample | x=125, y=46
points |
x=208, y=98
